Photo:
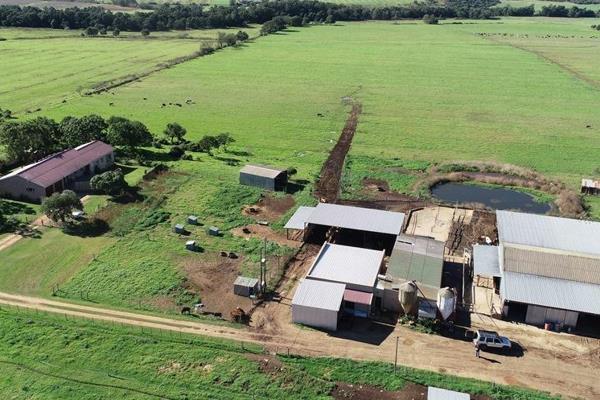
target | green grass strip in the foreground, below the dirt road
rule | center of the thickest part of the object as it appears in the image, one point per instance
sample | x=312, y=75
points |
x=44, y=356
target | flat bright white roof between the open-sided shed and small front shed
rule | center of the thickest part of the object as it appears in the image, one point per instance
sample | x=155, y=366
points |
x=347, y=264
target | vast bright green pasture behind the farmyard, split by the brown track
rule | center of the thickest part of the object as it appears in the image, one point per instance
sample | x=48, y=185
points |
x=432, y=93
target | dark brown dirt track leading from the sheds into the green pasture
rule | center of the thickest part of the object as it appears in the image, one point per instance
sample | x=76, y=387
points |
x=328, y=187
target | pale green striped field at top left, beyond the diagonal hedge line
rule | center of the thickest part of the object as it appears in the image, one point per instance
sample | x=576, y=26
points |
x=29, y=57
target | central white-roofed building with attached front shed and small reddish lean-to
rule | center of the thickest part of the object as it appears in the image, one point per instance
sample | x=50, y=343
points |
x=347, y=285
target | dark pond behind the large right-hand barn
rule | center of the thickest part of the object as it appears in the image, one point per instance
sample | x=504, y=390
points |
x=496, y=198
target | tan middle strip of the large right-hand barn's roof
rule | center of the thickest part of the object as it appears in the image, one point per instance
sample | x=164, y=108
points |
x=552, y=264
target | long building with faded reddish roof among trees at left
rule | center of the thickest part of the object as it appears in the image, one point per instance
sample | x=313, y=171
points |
x=69, y=169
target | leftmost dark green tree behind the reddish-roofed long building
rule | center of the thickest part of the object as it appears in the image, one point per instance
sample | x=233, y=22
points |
x=30, y=140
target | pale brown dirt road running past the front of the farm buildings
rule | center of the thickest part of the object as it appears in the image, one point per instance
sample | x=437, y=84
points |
x=561, y=364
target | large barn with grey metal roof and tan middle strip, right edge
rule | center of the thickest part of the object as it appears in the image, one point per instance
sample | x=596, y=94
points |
x=545, y=269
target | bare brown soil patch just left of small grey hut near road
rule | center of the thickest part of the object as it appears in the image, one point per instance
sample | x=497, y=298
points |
x=213, y=276
